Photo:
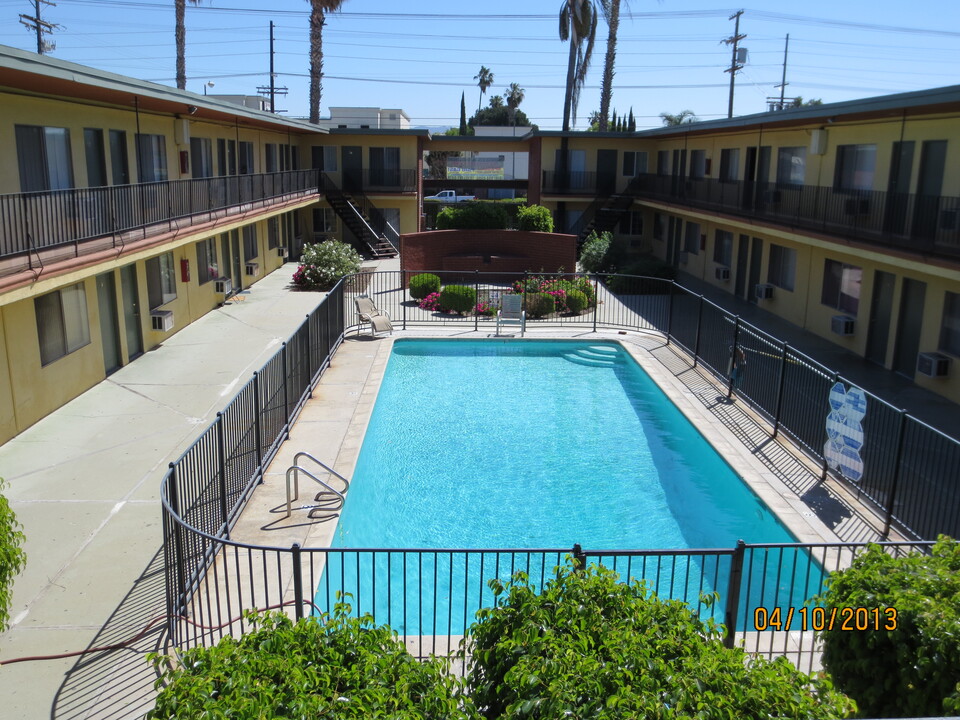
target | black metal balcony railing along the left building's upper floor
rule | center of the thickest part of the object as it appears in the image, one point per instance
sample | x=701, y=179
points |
x=30, y=222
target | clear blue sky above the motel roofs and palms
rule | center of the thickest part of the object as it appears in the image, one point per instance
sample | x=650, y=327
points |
x=420, y=55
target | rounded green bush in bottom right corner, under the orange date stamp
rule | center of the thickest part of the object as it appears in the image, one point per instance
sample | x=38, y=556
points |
x=913, y=668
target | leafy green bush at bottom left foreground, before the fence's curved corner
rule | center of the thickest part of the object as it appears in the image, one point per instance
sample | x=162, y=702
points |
x=326, y=667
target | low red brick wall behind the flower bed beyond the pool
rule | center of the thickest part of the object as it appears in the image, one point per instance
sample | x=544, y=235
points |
x=487, y=251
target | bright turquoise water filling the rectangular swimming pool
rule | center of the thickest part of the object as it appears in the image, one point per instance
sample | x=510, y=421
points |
x=529, y=444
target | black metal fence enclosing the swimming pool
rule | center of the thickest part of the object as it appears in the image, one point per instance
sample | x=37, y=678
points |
x=909, y=473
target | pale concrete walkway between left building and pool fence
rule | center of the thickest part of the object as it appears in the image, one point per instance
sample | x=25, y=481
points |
x=84, y=482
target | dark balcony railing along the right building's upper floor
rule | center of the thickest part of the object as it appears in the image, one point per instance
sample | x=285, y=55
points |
x=928, y=224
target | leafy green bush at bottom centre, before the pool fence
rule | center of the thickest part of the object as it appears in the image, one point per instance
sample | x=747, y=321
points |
x=587, y=646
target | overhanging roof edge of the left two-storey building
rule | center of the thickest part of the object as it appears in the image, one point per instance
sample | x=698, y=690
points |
x=111, y=88
